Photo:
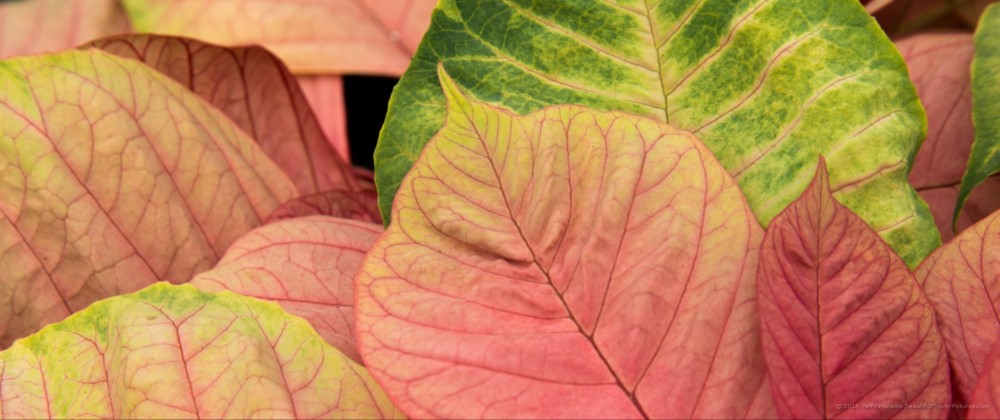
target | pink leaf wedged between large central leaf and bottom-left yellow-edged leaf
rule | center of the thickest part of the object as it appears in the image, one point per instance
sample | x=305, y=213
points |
x=307, y=265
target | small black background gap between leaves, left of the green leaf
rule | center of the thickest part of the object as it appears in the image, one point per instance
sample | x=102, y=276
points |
x=366, y=99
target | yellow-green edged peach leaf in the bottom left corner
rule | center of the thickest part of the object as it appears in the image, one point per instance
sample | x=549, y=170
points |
x=176, y=352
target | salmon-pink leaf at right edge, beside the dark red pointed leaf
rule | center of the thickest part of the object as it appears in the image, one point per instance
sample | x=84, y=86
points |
x=962, y=280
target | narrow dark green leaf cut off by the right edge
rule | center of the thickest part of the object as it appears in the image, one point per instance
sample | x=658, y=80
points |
x=985, y=158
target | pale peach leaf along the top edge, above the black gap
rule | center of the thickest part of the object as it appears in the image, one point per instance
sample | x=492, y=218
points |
x=315, y=37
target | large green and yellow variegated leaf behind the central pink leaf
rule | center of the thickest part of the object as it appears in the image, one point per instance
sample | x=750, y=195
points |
x=767, y=84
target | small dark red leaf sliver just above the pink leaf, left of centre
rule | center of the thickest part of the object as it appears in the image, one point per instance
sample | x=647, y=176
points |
x=356, y=205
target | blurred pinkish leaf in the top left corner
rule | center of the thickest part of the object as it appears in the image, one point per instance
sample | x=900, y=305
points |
x=37, y=26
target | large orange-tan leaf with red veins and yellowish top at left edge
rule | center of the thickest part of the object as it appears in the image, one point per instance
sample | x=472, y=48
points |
x=113, y=176
